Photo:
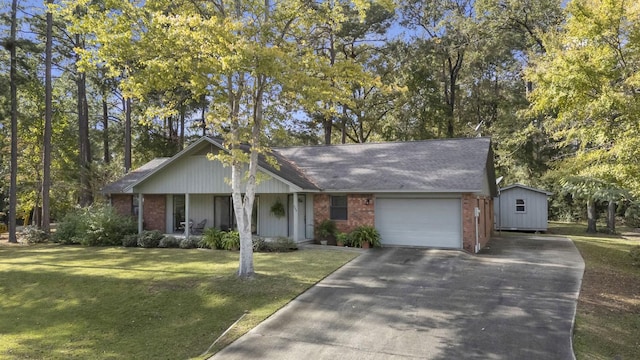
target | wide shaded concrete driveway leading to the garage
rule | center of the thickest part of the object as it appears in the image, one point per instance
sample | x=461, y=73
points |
x=516, y=300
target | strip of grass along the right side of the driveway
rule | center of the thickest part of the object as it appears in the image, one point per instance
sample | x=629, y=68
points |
x=608, y=315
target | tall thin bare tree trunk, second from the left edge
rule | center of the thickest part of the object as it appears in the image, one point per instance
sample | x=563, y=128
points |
x=46, y=156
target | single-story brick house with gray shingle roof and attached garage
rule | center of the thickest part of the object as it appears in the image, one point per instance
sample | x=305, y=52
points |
x=433, y=193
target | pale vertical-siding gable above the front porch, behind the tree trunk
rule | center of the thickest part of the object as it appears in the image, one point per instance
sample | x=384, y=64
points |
x=199, y=175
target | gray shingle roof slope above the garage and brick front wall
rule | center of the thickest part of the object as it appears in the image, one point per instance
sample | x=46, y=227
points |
x=447, y=165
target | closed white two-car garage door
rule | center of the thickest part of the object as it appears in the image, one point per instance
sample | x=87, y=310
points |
x=419, y=222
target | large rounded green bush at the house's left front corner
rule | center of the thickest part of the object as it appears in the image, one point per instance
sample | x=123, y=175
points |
x=97, y=225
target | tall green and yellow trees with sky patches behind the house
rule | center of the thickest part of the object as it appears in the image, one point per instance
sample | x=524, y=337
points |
x=556, y=85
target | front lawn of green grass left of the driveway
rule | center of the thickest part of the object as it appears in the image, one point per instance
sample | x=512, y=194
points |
x=61, y=302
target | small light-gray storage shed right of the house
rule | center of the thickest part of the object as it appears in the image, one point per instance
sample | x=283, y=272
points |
x=520, y=207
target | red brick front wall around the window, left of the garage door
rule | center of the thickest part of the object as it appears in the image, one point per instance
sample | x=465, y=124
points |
x=358, y=211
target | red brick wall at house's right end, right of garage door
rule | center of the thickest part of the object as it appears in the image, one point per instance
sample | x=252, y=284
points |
x=485, y=221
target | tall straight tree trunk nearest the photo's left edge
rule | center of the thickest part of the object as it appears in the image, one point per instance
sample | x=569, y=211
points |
x=13, y=198
